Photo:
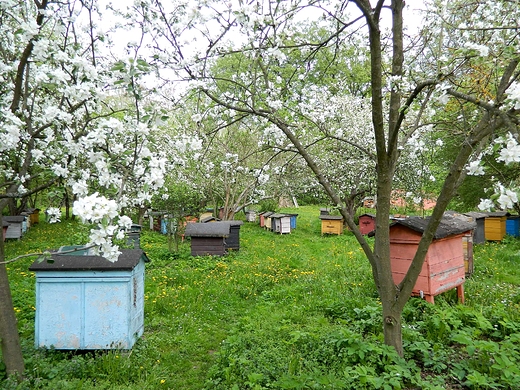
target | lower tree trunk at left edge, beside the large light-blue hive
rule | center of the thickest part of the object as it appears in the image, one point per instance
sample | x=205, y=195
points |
x=9, y=338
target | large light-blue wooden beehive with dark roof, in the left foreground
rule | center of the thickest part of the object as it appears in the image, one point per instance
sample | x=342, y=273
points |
x=86, y=302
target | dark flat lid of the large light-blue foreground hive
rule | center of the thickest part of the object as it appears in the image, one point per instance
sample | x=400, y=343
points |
x=127, y=260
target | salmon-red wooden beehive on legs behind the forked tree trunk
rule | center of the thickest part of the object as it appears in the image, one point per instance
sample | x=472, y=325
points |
x=443, y=267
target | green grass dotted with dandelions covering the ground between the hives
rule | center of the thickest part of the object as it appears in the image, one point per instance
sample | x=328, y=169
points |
x=296, y=311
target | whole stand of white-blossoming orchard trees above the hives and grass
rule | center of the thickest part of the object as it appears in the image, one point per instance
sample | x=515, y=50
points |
x=116, y=107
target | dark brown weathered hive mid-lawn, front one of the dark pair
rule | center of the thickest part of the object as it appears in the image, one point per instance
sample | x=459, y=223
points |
x=207, y=239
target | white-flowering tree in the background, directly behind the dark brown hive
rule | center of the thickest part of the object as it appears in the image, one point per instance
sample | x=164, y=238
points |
x=230, y=165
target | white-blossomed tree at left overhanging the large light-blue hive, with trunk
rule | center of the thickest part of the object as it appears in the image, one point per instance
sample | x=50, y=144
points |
x=54, y=126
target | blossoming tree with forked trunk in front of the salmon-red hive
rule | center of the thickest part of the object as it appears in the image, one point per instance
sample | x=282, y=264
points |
x=407, y=85
